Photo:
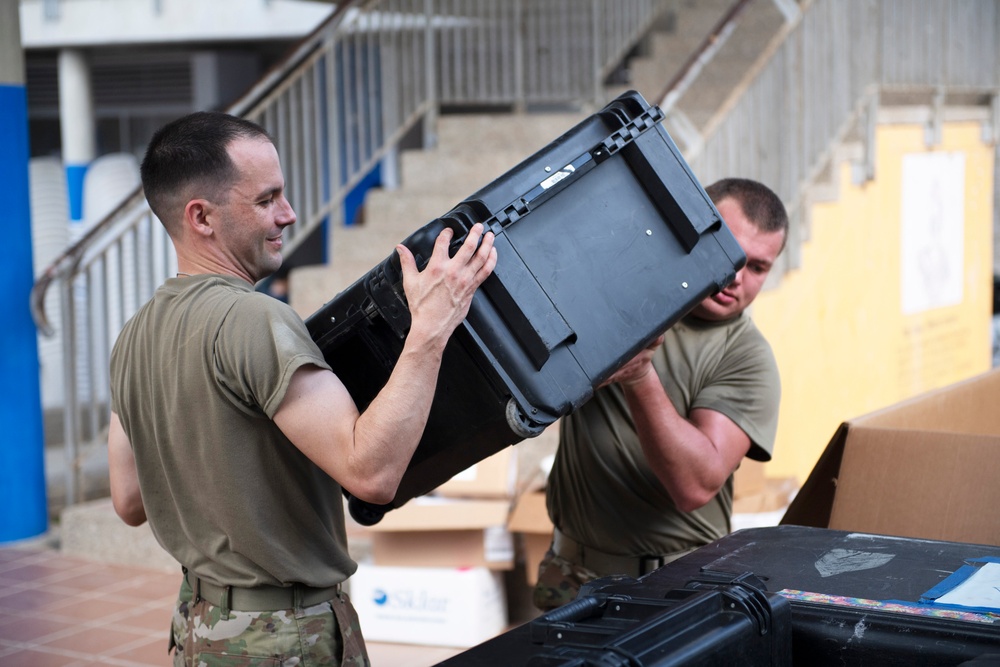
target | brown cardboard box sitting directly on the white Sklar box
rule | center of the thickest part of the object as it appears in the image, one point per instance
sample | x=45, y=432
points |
x=445, y=532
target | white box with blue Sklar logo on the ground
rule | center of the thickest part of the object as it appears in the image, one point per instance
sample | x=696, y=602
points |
x=427, y=605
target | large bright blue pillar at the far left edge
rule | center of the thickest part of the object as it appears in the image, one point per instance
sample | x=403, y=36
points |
x=23, y=511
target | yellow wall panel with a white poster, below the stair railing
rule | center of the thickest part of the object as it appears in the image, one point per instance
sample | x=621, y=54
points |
x=843, y=343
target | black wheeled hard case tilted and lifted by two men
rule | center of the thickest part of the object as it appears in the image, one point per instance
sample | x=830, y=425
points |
x=605, y=239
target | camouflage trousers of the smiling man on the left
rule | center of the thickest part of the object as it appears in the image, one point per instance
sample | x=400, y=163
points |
x=203, y=636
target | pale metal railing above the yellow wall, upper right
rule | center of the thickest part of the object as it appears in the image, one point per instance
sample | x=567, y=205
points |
x=825, y=76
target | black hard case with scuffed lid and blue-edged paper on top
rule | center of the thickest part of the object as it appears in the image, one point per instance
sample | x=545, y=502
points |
x=852, y=565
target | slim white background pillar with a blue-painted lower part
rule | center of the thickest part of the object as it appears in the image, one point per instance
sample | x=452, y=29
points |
x=77, y=124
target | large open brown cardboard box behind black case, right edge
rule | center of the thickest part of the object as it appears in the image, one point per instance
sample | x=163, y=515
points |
x=925, y=468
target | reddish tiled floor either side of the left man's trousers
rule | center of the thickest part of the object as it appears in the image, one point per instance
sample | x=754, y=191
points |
x=57, y=611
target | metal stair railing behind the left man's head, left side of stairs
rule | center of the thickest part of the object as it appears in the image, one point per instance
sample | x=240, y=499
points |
x=336, y=106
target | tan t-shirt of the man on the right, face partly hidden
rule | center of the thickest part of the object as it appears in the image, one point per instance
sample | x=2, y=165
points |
x=601, y=491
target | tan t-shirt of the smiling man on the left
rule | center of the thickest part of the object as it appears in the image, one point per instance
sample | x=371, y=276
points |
x=196, y=376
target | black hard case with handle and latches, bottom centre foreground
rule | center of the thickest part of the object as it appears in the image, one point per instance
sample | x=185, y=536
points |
x=716, y=619
